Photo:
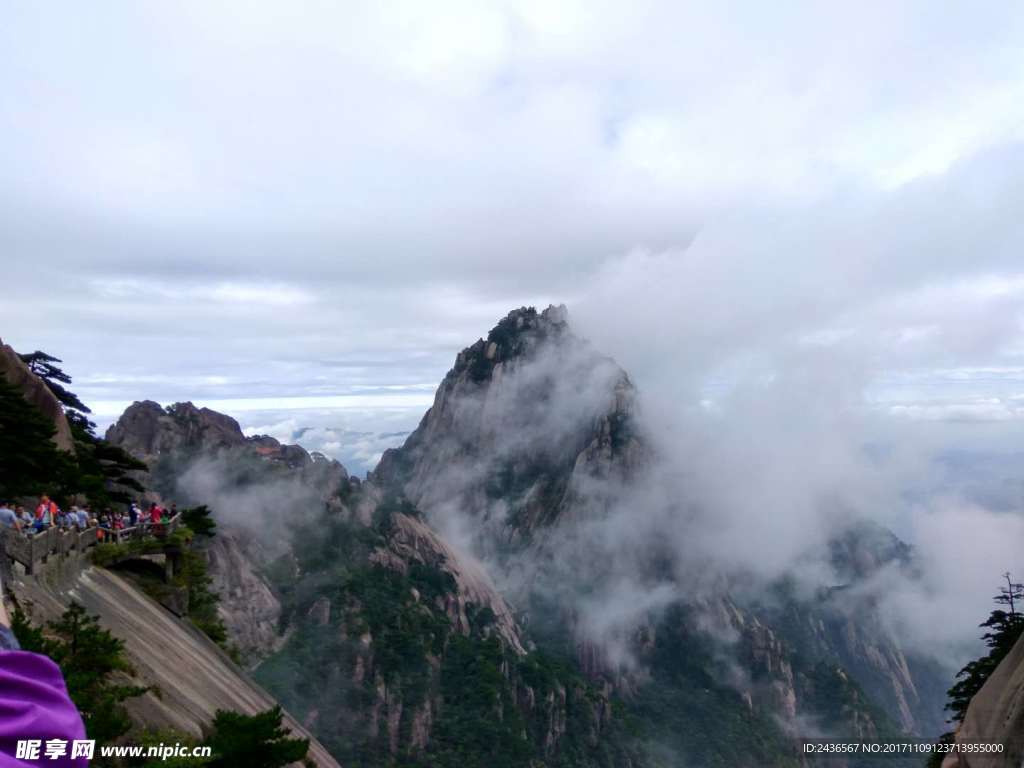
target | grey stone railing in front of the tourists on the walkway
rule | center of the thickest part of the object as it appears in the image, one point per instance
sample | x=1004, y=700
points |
x=31, y=550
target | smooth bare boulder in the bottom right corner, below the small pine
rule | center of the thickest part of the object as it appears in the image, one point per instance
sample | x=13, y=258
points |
x=997, y=716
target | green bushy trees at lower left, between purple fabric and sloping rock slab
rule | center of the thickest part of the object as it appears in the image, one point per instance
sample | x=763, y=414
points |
x=94, y=664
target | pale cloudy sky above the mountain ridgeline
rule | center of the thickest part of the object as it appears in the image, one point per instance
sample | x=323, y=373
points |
x=300, y=215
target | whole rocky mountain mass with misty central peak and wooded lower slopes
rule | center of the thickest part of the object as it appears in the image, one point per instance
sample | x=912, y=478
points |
x=462, y=606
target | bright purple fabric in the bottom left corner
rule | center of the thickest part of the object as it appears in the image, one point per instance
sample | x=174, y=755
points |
x=34, y=705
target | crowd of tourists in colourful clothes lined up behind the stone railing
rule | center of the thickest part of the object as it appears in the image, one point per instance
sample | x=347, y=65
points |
x=49, y=516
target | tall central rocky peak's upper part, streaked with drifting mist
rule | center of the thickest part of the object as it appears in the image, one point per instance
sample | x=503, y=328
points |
x=524, y=424
